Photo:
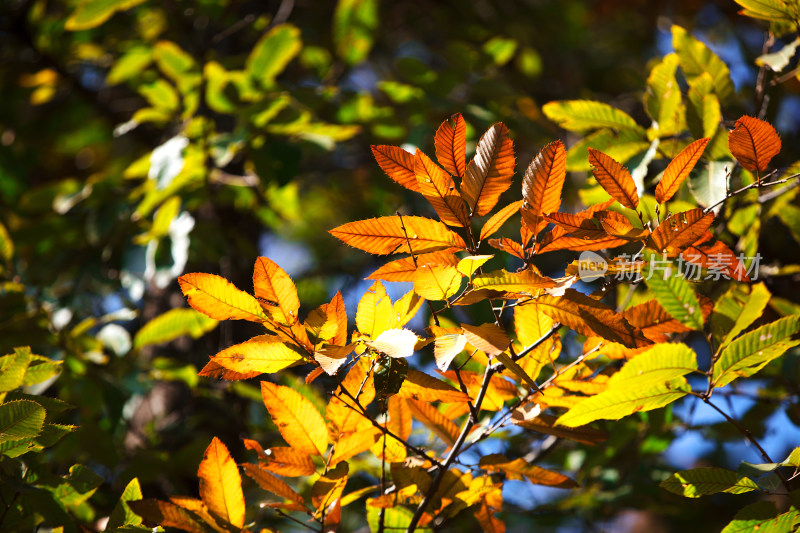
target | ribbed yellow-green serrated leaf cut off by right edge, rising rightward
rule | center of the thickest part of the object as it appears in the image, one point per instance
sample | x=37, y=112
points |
x=752, y=351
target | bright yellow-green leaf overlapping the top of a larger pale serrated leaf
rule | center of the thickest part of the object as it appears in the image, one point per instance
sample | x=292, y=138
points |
x=659, y=364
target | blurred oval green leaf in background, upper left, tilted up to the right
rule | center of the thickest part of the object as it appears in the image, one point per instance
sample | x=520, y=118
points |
x=273, y=52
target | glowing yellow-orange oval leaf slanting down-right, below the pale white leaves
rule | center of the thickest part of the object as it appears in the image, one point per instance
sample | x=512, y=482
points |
x=298, y=421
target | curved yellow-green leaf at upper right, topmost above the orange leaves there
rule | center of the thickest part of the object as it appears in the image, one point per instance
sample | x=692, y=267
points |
x=696, y=58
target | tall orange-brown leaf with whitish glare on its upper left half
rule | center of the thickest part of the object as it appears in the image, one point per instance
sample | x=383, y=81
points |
x=489, y=173
